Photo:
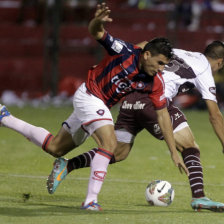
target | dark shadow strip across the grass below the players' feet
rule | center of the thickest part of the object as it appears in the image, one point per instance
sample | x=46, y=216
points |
x=44, y=209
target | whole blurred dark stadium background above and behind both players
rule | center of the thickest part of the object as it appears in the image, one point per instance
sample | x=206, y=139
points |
x=46, y=48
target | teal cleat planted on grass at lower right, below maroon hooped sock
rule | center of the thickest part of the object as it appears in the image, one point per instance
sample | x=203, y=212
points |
x=205, y=203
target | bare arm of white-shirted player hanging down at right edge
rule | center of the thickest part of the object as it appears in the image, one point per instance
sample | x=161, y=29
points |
x=216, y=119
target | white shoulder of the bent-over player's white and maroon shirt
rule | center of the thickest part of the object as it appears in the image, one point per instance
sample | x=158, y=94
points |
x=196, y=60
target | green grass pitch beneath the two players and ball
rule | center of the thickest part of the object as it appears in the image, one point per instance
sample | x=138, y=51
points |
x=24, y=168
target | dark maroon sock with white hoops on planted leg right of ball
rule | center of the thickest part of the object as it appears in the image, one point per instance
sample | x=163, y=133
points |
x=191, y=157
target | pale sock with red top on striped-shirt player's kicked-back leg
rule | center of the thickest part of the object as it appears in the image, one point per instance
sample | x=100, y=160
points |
x=37, y=135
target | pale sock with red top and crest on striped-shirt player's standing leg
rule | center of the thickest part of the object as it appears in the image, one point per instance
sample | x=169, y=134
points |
x=98, y=172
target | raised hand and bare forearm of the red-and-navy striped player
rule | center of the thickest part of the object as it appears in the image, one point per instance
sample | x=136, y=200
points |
x=96, y=25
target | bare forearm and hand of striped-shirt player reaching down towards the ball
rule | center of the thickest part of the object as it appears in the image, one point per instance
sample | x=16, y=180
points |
x=167, y=130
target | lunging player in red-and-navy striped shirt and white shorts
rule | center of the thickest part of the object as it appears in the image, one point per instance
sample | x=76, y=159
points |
x=126, y=67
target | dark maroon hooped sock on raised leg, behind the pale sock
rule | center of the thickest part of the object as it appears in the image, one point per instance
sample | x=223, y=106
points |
x=83, y=160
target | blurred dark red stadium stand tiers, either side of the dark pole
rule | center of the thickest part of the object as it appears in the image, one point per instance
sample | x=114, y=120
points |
x=22, y=40
